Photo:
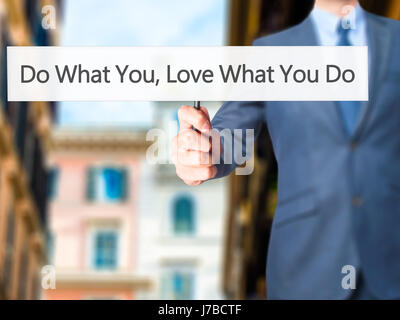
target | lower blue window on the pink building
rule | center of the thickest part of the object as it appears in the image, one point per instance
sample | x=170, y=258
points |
x=105, y=250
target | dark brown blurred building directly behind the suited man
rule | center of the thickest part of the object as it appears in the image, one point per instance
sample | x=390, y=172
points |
x=252, y=199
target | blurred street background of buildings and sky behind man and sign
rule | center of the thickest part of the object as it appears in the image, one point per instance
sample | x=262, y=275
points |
x=76, y=192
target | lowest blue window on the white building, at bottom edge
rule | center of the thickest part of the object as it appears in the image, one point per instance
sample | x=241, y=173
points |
x=177, y=284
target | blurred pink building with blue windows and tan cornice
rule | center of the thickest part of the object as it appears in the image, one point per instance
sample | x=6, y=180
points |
x=94, y=214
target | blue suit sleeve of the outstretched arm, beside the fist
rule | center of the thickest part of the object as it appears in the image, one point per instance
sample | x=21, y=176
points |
x=232, y=120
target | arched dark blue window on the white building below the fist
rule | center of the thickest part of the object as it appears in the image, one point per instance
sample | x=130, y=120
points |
x=183, y=215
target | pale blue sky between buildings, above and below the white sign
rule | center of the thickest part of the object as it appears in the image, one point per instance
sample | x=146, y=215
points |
x=135, y=23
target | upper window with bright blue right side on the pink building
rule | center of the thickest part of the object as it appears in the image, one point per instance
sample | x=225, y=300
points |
x=107, y=184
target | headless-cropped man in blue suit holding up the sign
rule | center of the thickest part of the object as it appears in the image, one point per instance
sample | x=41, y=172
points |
x=338, y=163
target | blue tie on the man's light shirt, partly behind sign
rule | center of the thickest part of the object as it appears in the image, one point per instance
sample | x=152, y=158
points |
x=348, y=109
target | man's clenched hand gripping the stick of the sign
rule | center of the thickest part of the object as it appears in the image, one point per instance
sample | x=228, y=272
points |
x=192, y=150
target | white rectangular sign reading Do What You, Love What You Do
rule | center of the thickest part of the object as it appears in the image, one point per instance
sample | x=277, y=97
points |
x=187, y=73
